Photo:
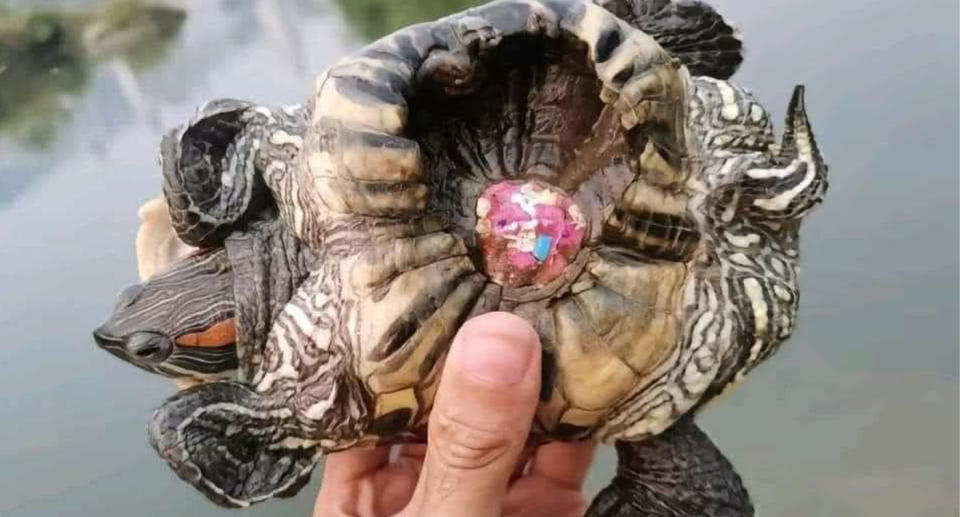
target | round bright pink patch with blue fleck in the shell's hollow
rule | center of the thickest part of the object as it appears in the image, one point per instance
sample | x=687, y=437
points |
x=529, y=232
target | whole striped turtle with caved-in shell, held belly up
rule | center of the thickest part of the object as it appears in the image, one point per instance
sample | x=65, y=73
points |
x=660, y=270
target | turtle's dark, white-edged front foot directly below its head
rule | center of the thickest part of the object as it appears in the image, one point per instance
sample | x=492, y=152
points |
x=232, y=444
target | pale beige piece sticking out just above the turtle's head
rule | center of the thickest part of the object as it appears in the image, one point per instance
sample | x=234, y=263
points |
x=158, y=246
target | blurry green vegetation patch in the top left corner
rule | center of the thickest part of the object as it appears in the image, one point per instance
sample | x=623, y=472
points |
x=46, y=57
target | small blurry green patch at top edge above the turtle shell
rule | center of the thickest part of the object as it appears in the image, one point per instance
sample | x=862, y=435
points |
x=374, y=18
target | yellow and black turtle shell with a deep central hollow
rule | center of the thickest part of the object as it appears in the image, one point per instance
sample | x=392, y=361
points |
x=530, y=110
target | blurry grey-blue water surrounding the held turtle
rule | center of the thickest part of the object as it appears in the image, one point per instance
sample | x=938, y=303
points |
x=856, y=416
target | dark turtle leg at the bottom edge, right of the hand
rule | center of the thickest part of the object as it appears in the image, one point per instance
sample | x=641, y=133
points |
x=679, y=473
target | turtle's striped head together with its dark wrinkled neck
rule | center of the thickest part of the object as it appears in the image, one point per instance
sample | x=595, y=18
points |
x=245, y=283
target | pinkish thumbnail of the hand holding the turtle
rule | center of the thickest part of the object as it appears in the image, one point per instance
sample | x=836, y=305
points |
x=497, y=348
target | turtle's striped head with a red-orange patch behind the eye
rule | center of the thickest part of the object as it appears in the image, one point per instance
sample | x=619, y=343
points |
x=180, y=323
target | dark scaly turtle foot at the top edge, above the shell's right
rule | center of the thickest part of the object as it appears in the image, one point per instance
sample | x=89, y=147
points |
x=692, y=31
